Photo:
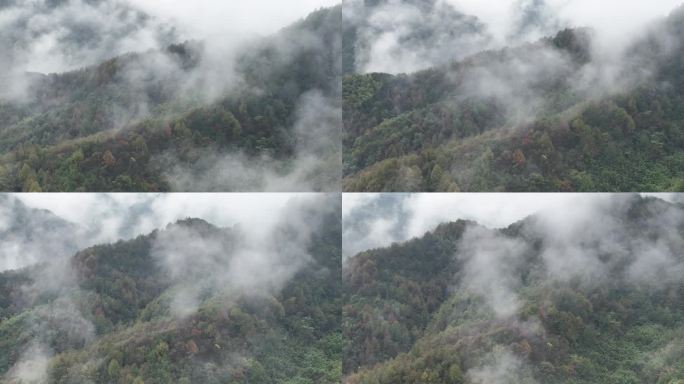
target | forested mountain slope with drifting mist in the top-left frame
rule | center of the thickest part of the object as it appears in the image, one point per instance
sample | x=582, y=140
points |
x=264, y=115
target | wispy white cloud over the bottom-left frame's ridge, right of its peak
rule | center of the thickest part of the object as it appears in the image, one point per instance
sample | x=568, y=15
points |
x=245, y=260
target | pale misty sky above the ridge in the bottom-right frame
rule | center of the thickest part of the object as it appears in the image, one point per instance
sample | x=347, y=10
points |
x=415, y=214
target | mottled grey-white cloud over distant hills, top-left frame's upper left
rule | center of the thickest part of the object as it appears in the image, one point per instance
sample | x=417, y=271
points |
x=55, y=36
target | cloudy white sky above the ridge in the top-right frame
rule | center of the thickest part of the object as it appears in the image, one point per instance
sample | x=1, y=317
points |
x=390, y=28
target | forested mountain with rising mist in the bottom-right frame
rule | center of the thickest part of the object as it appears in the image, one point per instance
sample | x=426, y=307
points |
x=592, y=296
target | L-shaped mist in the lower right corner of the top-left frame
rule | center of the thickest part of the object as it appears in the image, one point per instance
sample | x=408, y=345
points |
x=315, y=166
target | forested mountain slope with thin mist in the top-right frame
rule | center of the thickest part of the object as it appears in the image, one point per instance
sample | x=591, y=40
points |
x=552, y=115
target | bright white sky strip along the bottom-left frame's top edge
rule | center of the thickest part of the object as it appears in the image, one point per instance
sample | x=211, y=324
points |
x=112, y=211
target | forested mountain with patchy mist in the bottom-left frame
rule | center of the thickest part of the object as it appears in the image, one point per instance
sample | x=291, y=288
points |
x=190, y=303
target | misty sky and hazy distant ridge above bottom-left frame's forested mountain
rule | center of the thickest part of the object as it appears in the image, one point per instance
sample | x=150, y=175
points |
x=101, y=218
